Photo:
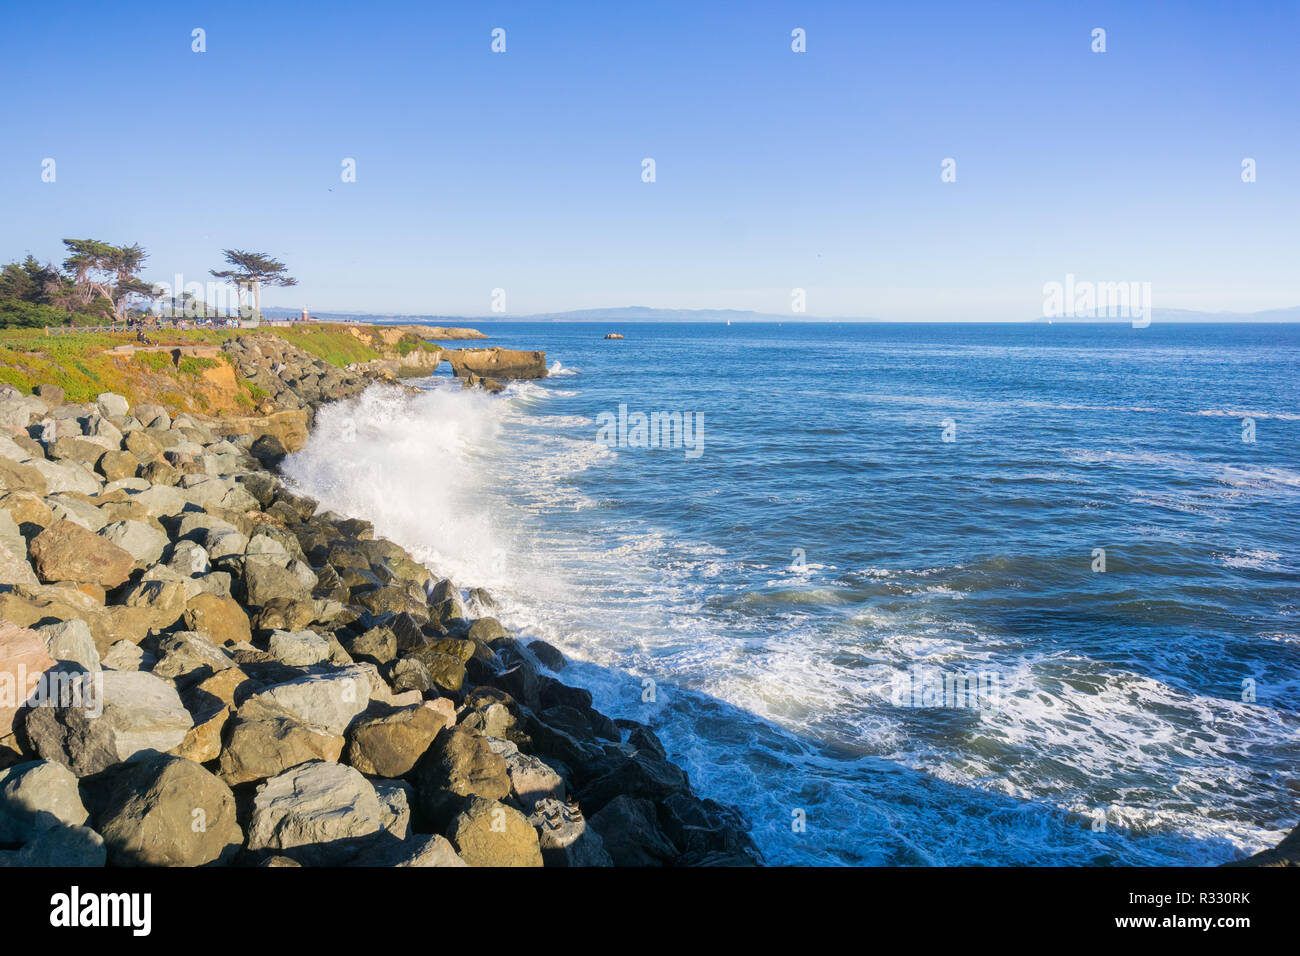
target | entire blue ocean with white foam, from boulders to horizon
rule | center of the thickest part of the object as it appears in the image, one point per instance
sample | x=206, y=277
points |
x=791, y=590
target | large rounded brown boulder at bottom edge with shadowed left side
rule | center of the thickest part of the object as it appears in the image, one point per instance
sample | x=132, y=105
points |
x=167, y=811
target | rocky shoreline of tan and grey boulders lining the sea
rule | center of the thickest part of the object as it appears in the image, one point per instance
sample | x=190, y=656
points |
x=205, y=669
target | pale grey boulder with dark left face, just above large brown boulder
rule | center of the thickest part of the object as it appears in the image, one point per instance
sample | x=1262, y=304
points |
x=140, y=713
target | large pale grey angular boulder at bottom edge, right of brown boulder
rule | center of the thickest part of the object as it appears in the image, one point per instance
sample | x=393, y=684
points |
x=314, y=806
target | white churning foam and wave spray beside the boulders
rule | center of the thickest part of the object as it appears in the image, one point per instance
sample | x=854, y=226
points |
x=768, y=702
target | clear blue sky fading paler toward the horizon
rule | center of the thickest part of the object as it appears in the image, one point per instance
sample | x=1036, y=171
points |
x=522, y=171
